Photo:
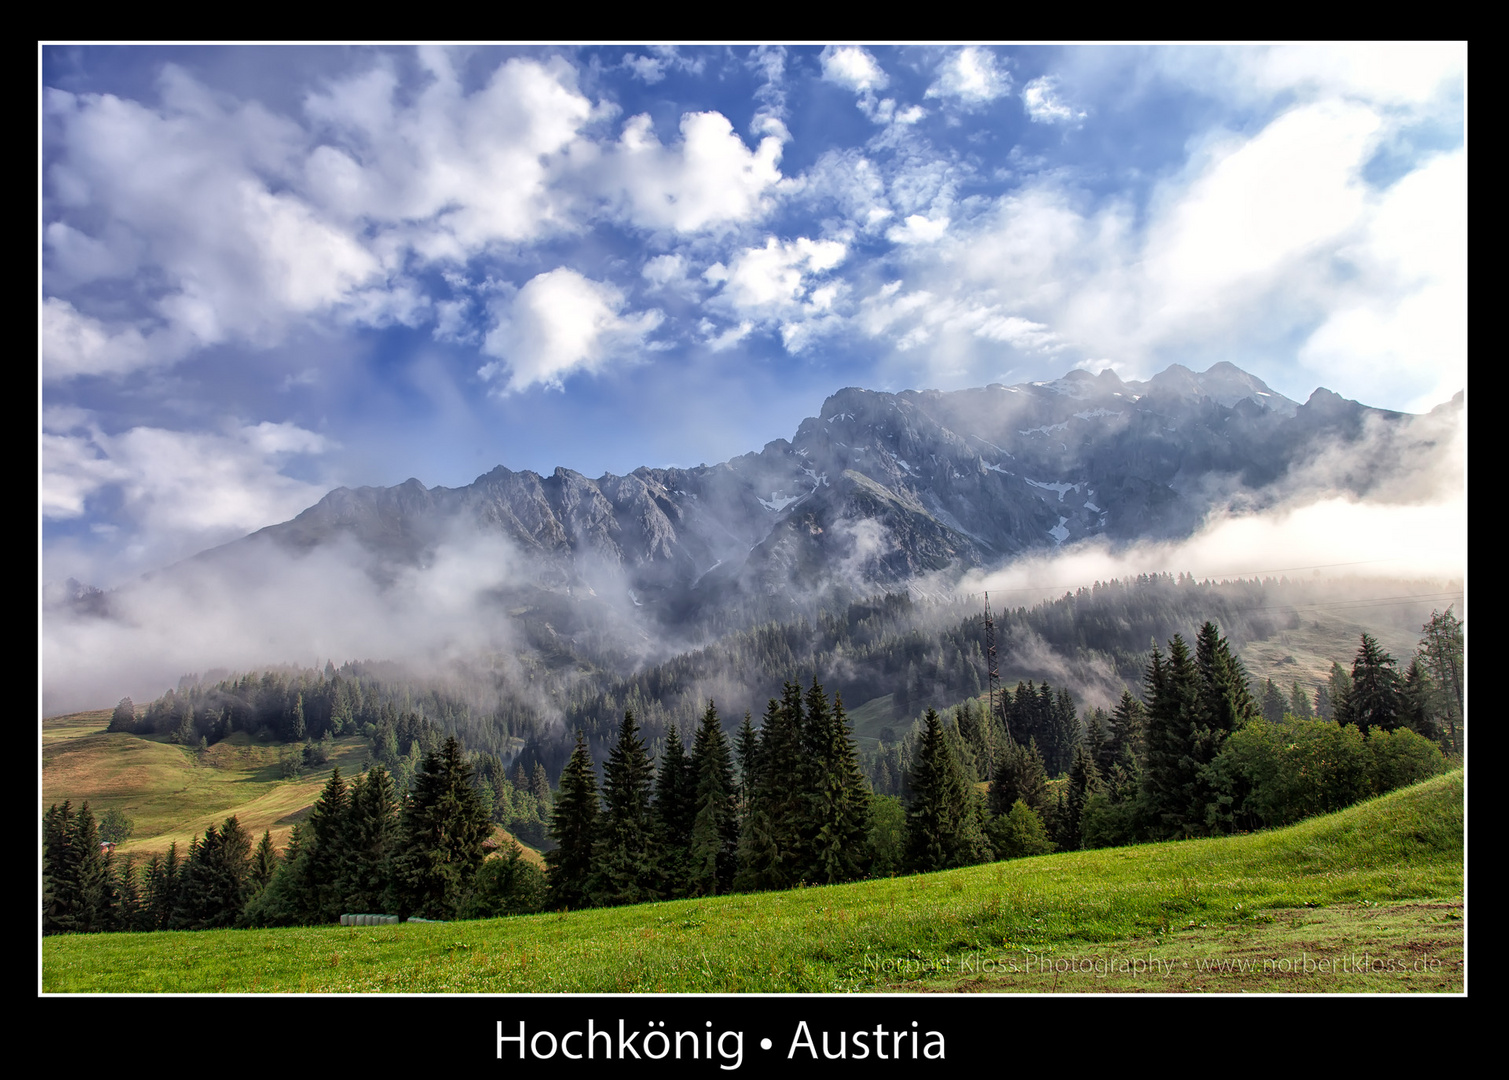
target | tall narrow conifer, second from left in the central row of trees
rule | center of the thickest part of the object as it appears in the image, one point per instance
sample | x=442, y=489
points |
x=625, y=861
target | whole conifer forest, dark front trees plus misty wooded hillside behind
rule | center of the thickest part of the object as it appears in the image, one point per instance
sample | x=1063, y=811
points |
x=705, y=806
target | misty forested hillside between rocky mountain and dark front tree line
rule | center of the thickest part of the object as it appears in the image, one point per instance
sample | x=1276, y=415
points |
x=1095, y=643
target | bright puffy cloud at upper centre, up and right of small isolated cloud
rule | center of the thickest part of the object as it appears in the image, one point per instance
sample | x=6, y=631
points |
x=710, y=180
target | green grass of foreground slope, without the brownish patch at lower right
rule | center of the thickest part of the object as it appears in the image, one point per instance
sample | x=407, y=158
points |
x=1406, y=845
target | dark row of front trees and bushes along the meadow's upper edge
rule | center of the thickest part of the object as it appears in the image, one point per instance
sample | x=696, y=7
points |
x=787, y=803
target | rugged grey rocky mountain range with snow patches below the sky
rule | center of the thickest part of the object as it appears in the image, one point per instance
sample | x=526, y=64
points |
x=884, y=488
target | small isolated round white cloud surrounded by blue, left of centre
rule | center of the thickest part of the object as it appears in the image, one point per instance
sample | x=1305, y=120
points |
x=562, y=324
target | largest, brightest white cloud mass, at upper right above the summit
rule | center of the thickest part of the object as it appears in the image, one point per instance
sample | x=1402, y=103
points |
x=1262, y=238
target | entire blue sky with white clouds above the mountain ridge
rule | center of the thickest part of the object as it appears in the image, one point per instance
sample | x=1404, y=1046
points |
x=274, y=271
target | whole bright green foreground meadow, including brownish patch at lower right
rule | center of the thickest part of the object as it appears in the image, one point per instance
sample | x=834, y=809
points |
x=1368, y=900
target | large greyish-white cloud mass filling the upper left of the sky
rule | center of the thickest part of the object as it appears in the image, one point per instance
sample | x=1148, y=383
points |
x=221, y=222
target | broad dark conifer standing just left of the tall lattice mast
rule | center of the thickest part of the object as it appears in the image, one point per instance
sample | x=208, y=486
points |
x=942, y=821
